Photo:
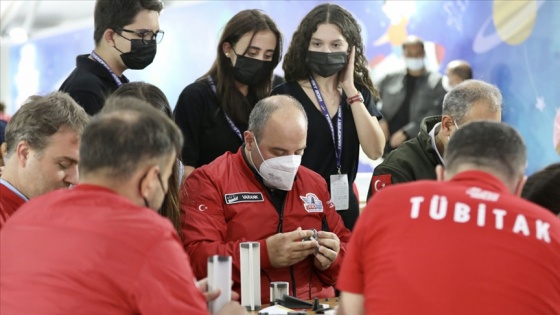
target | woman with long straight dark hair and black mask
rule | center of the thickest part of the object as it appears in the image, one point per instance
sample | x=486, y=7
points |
x=213, y=111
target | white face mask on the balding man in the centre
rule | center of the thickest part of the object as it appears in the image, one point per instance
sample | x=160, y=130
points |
x=278, y=172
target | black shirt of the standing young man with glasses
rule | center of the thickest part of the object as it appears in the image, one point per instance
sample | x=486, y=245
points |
x=90, y=84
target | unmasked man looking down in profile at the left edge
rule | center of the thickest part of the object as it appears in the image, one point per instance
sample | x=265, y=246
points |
x=41, y=150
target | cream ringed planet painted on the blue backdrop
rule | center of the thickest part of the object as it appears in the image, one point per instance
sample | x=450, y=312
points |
x=513, y=20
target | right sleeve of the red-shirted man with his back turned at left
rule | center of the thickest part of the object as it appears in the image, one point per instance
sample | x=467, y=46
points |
x=166, y=284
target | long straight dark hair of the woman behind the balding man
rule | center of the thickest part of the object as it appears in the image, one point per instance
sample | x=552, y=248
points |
x=231, y=100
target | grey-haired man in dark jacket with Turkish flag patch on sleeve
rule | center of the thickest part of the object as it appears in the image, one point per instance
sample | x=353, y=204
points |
x=416, y=159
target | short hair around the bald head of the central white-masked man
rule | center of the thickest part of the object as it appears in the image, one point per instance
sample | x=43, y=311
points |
x=264, y=109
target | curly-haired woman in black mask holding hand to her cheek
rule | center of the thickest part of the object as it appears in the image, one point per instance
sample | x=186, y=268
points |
x=327, y=72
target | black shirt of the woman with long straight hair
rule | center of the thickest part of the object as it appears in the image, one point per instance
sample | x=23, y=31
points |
x=203, y=123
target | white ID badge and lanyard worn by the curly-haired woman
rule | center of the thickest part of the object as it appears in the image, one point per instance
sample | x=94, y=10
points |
x=338, y=182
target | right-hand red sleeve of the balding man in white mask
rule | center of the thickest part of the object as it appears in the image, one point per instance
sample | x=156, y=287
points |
x=336, y=225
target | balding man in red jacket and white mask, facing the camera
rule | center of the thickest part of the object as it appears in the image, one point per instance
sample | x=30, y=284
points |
x=262, y=194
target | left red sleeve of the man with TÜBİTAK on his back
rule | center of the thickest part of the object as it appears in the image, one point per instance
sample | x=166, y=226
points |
x=351, y=277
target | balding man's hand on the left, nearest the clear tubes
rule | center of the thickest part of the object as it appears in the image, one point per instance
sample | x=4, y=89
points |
x=286, y=249
